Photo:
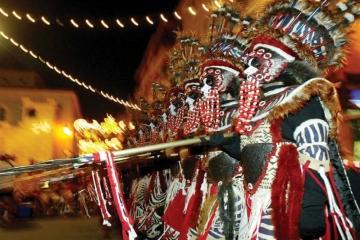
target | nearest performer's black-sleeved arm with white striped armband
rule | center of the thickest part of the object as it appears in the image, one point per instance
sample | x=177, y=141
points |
x=309, y=130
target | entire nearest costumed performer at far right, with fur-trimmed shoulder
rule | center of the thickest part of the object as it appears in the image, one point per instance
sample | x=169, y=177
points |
x=294, y=179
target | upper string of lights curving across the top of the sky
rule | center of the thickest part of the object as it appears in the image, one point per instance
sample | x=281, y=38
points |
x=102, y=23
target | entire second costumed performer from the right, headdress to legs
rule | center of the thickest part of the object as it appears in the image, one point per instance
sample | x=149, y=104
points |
x=221, y=72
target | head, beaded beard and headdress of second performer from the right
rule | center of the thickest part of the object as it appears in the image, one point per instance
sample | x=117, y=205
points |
x=221, y=71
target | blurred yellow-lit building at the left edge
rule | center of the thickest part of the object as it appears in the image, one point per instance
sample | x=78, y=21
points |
x=35, y=123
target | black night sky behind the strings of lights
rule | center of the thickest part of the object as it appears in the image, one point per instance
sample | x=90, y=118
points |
x=107, y=59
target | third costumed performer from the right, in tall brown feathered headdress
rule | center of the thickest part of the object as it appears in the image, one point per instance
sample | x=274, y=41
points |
x=184, y=70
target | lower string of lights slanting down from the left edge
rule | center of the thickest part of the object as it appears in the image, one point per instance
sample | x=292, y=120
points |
x=68, y=76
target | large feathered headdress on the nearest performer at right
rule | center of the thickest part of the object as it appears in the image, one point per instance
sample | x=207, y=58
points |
x=315, y=31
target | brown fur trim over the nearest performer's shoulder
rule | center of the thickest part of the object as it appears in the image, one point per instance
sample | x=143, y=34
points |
x=301, y=95
